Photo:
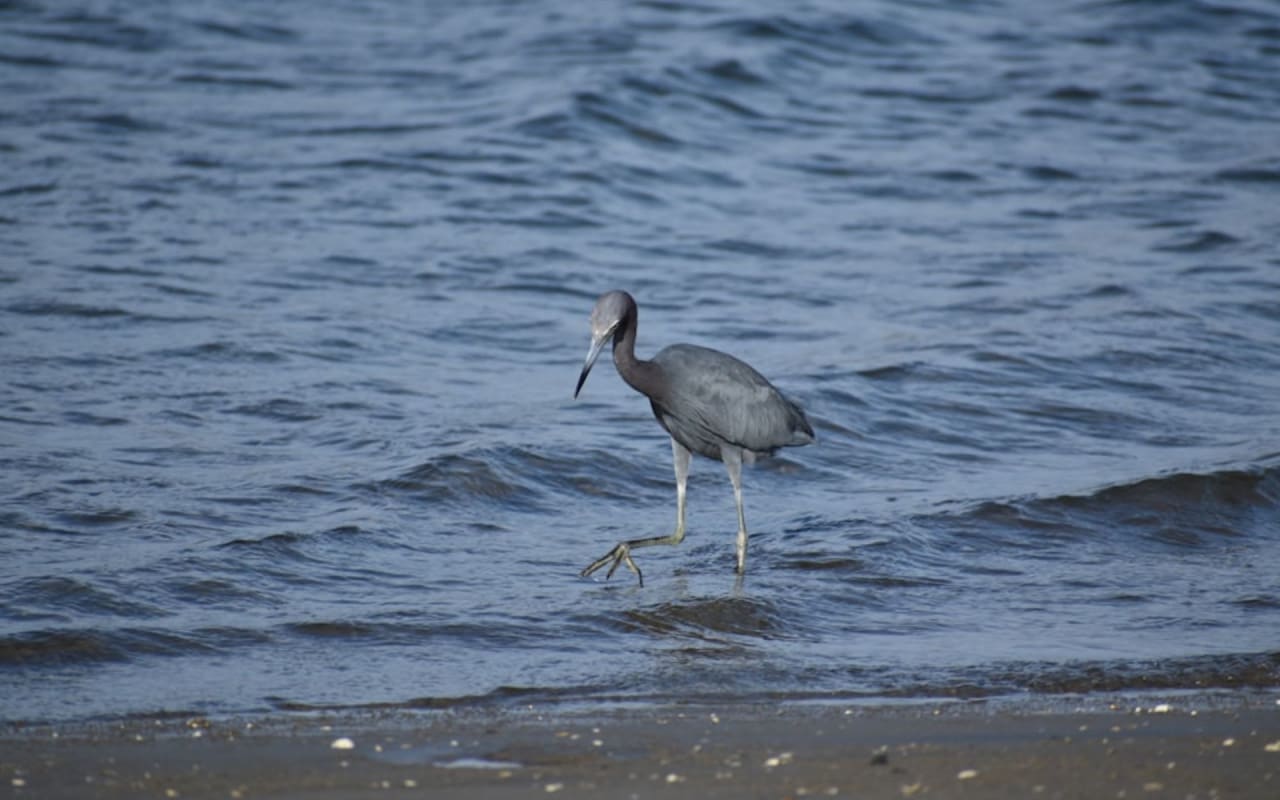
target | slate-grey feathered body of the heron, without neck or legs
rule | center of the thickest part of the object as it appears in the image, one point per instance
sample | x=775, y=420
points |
x=711, y=399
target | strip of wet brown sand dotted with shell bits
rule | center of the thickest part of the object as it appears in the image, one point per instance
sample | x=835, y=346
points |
x=949, y=751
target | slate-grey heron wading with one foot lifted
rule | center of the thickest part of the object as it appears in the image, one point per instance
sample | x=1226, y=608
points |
x=710, y=403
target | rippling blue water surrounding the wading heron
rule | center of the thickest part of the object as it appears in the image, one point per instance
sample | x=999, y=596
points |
x=292, y=303
